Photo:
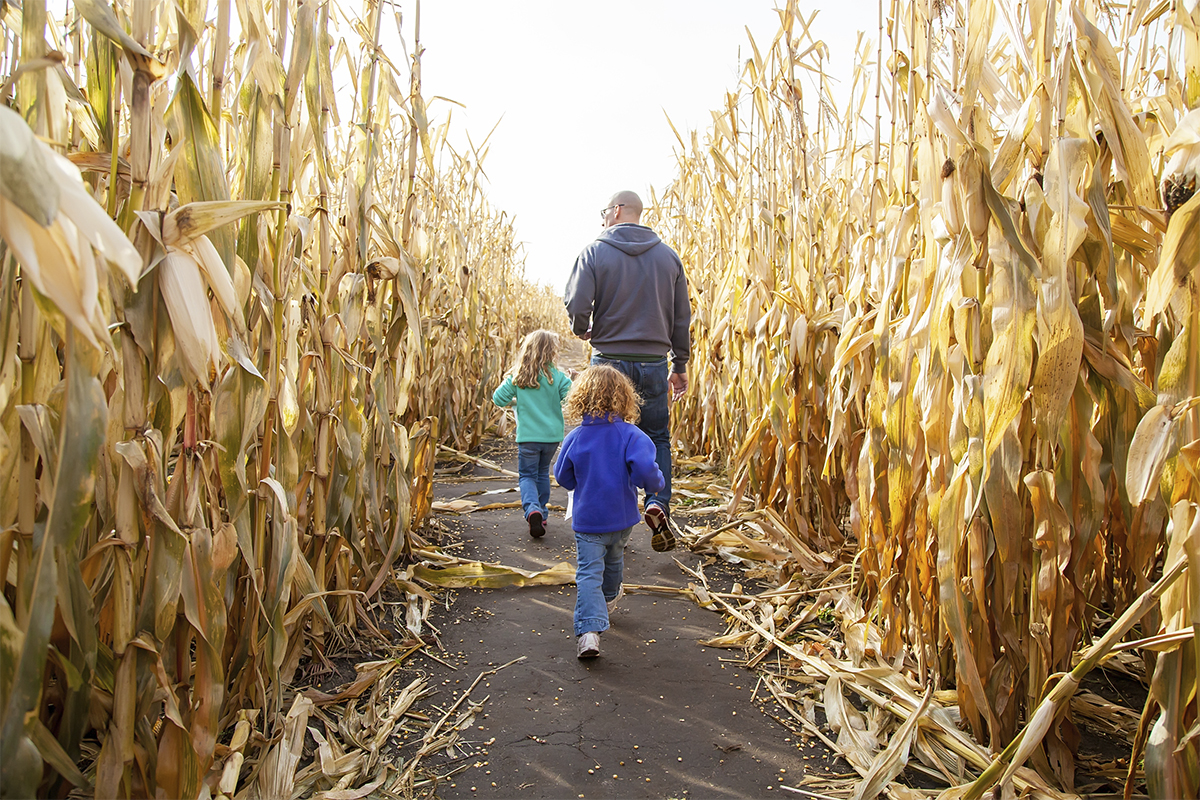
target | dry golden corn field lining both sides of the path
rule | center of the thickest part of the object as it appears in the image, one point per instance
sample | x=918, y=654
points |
x=946, y=335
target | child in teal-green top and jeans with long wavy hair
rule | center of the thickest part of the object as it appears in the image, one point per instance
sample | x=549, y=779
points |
x=538, y=388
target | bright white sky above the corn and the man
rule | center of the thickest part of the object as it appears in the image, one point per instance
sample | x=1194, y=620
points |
x=585, y=91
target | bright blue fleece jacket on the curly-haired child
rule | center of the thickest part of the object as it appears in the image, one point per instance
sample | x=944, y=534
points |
x=605, y=461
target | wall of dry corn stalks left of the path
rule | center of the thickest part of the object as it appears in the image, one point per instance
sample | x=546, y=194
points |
x=226, y=323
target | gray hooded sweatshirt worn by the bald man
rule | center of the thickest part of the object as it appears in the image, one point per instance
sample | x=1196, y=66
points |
x=631, y=288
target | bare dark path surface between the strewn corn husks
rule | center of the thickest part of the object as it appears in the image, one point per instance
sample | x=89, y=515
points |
x=657, y=715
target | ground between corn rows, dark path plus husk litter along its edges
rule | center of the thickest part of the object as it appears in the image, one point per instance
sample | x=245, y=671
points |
x=728, y=672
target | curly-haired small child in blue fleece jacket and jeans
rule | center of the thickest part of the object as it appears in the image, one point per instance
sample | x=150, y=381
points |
x=604, y=461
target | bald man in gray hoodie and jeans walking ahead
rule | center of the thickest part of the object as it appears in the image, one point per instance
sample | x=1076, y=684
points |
x=628, y=294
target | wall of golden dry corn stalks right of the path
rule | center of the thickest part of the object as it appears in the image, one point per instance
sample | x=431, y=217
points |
x=968, y=333
